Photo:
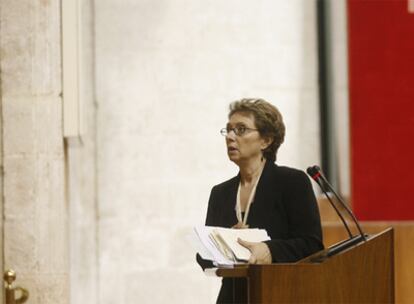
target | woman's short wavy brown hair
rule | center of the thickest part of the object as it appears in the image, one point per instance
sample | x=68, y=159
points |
x=268, y=121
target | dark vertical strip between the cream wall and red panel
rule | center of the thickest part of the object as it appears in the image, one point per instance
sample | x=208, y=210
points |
x=323, y=87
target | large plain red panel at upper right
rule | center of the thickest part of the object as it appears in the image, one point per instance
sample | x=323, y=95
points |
x=381, y=79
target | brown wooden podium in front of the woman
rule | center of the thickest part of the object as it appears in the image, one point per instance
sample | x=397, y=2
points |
x=363, y=273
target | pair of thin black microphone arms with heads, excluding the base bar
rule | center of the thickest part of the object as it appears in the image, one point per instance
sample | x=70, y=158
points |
x=316, y=174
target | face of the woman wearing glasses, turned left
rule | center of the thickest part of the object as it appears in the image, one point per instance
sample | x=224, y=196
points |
x=247, y=146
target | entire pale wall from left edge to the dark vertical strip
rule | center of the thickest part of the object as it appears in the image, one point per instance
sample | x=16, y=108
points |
x=165, y=73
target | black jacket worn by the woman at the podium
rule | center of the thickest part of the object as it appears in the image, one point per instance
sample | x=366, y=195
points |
x=284, y=205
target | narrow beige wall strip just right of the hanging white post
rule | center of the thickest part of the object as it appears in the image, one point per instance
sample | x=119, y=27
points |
x=81, y=177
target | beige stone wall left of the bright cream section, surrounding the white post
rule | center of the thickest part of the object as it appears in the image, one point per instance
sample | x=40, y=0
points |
x=50, y=231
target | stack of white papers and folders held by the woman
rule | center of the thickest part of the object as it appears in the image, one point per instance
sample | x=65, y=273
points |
x=220, y=244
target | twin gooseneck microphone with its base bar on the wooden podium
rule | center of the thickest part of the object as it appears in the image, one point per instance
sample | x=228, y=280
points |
x=316, y=174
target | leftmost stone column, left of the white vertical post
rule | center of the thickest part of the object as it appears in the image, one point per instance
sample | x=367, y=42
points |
x=33, y=158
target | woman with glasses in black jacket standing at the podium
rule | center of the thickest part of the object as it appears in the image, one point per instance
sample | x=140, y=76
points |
x=263, y=194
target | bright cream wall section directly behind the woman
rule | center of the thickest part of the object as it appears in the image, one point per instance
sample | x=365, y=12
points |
x=166, y=71
